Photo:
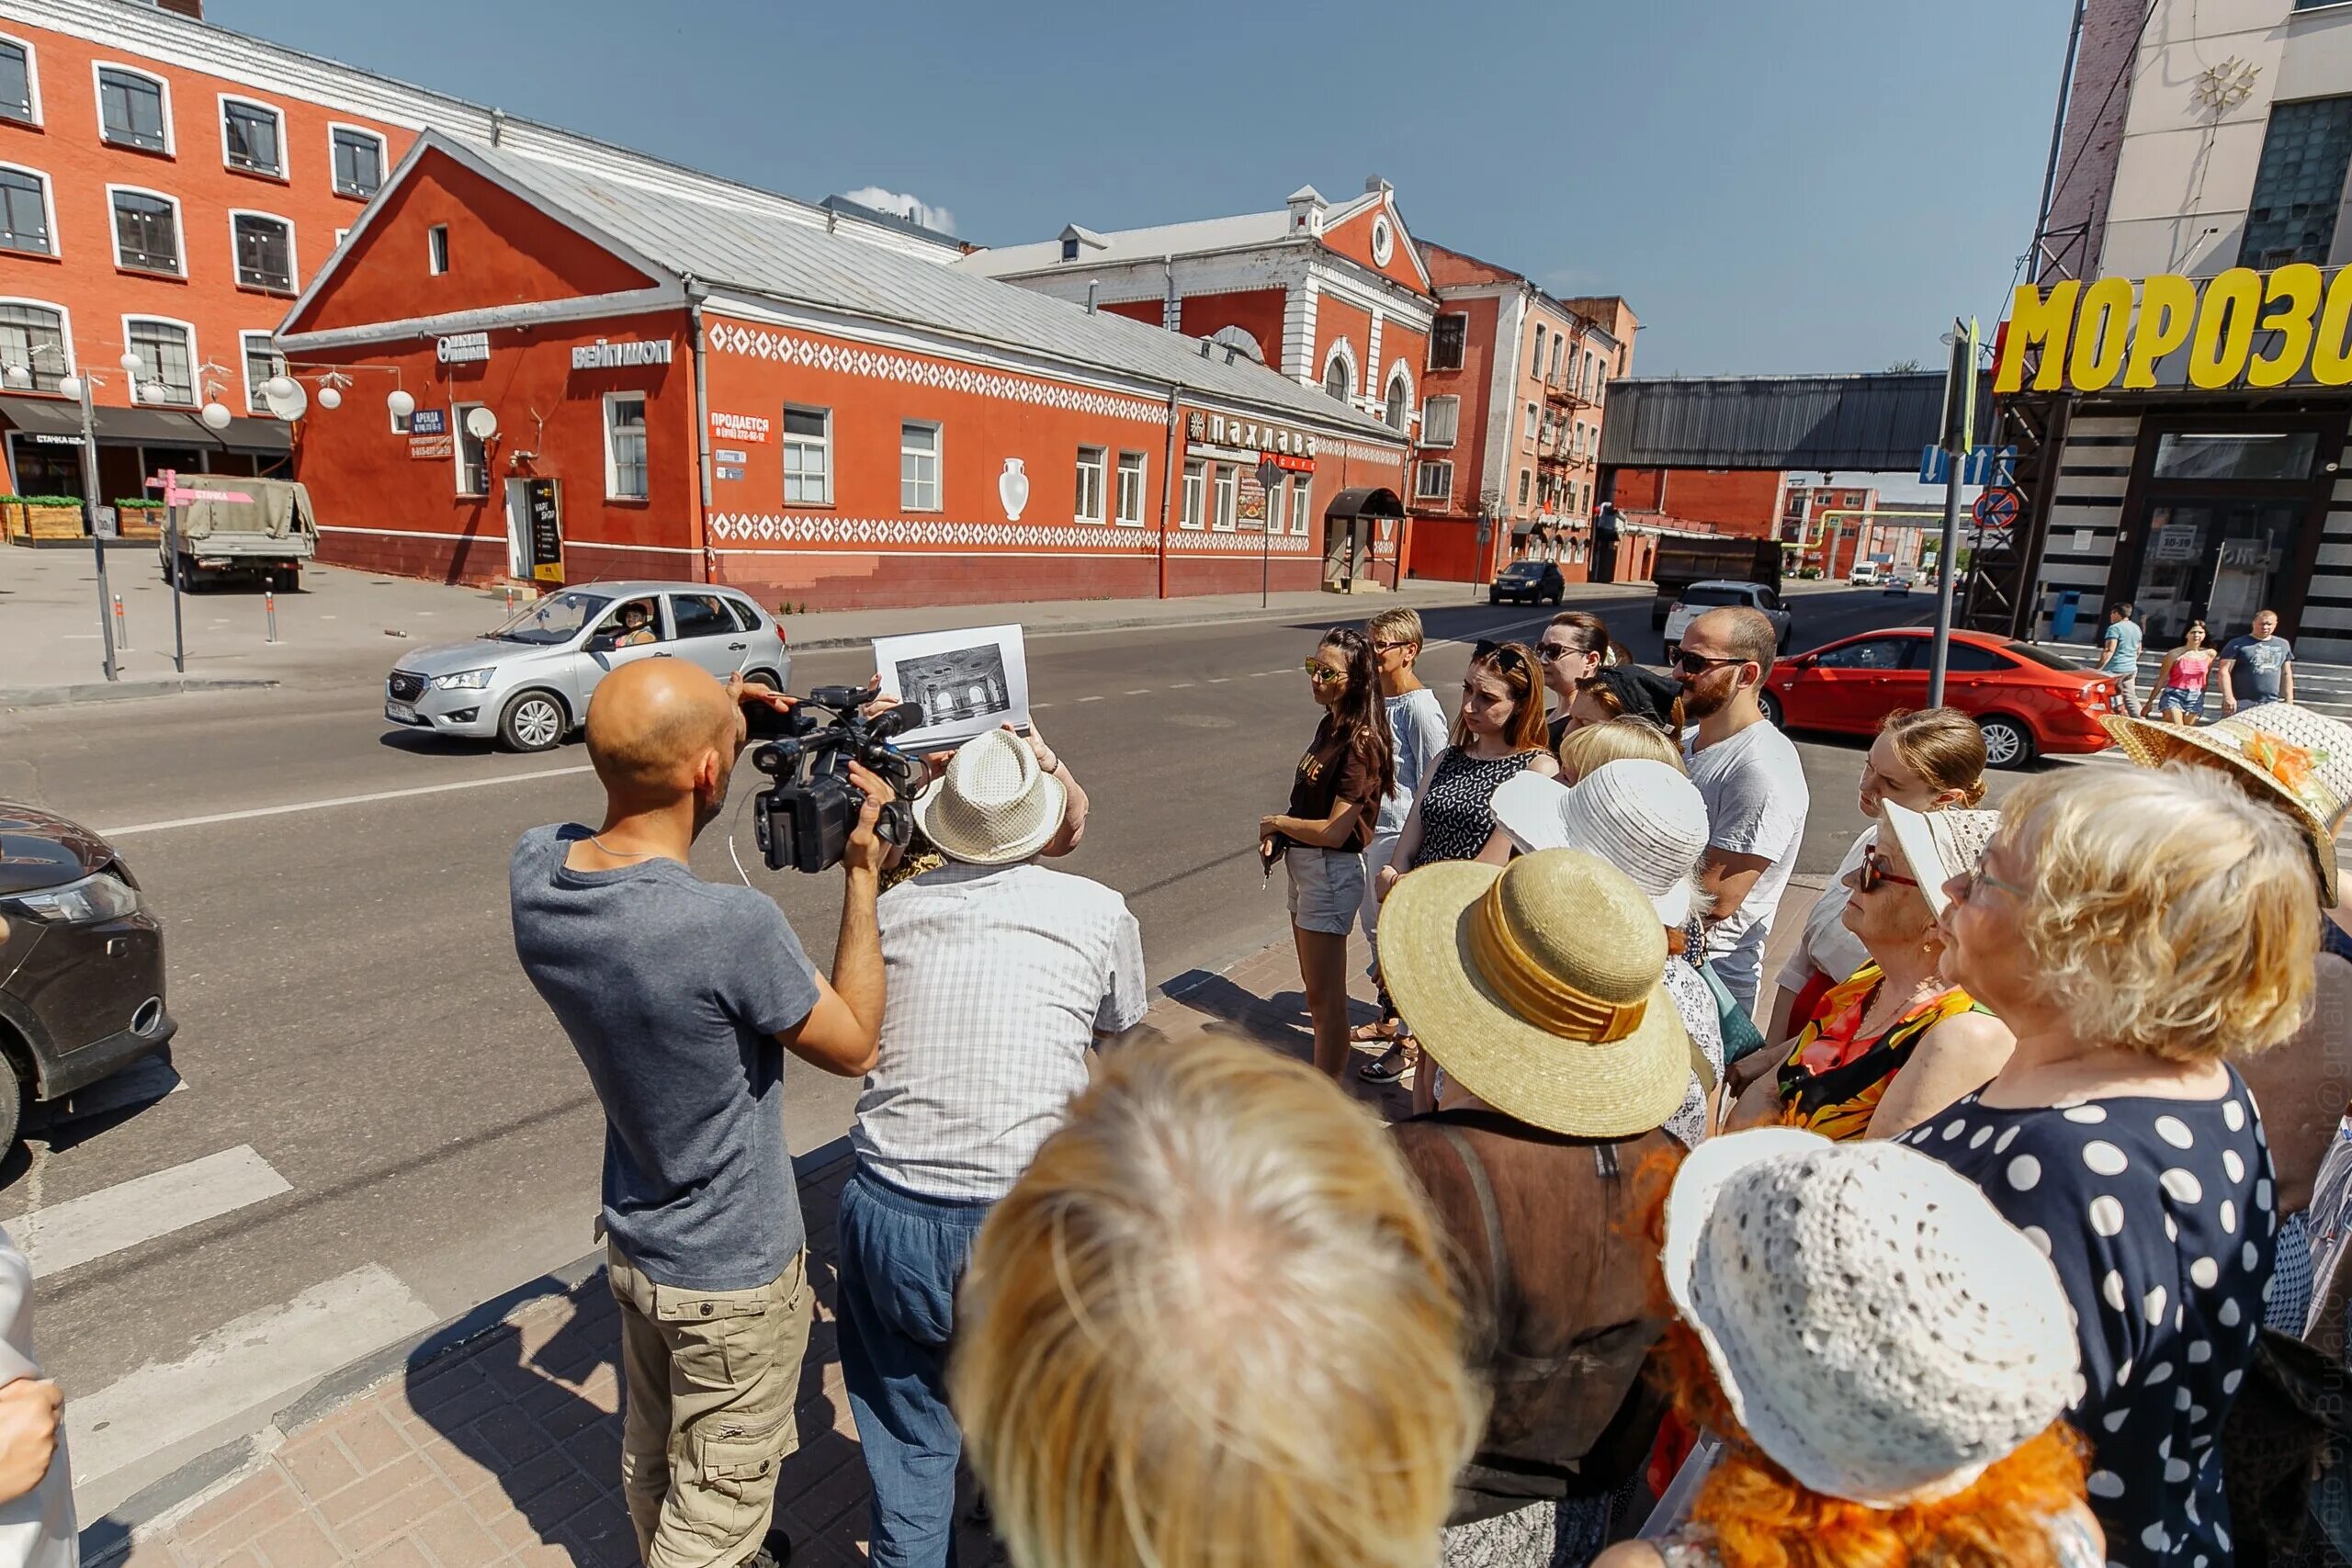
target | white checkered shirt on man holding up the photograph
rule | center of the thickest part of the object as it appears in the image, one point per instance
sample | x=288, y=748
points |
x=998, y=984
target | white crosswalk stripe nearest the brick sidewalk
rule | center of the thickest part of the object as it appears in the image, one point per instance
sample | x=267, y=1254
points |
x=243, y=1367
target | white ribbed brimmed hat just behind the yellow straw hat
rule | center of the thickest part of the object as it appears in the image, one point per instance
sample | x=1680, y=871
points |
x=1641, y=817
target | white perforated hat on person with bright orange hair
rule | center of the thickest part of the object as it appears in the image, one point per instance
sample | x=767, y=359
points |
x=1878, y=1327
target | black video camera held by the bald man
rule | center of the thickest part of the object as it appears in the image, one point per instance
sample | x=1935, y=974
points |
x=806, y=819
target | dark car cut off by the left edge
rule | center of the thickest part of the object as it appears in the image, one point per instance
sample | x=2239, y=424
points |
x=81, y=963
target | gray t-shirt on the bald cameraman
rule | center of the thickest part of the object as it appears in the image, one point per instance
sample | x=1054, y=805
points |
x=674, y=993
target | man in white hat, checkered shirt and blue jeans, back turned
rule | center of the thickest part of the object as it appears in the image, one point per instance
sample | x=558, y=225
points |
x=1003, y=977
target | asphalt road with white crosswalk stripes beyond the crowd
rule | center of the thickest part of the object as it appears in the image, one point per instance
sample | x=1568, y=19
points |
x=377, y=1113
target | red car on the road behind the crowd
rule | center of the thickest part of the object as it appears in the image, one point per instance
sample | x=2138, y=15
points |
x=2024, y=699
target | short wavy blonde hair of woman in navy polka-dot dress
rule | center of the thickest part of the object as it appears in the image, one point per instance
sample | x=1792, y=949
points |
x=2167, y=916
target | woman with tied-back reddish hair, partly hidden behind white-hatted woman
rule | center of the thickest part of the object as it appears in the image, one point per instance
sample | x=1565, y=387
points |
x=1925, y=760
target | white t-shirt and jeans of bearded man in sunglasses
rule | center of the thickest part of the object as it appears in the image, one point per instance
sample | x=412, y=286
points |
x=1758, y=803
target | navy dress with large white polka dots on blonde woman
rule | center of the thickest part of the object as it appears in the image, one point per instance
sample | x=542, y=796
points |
x=2163, y=1224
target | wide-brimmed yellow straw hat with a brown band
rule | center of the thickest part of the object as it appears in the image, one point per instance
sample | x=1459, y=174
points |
x=1542, y=991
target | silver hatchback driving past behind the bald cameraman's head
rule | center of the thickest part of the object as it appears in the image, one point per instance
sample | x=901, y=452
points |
x=528, y=683
